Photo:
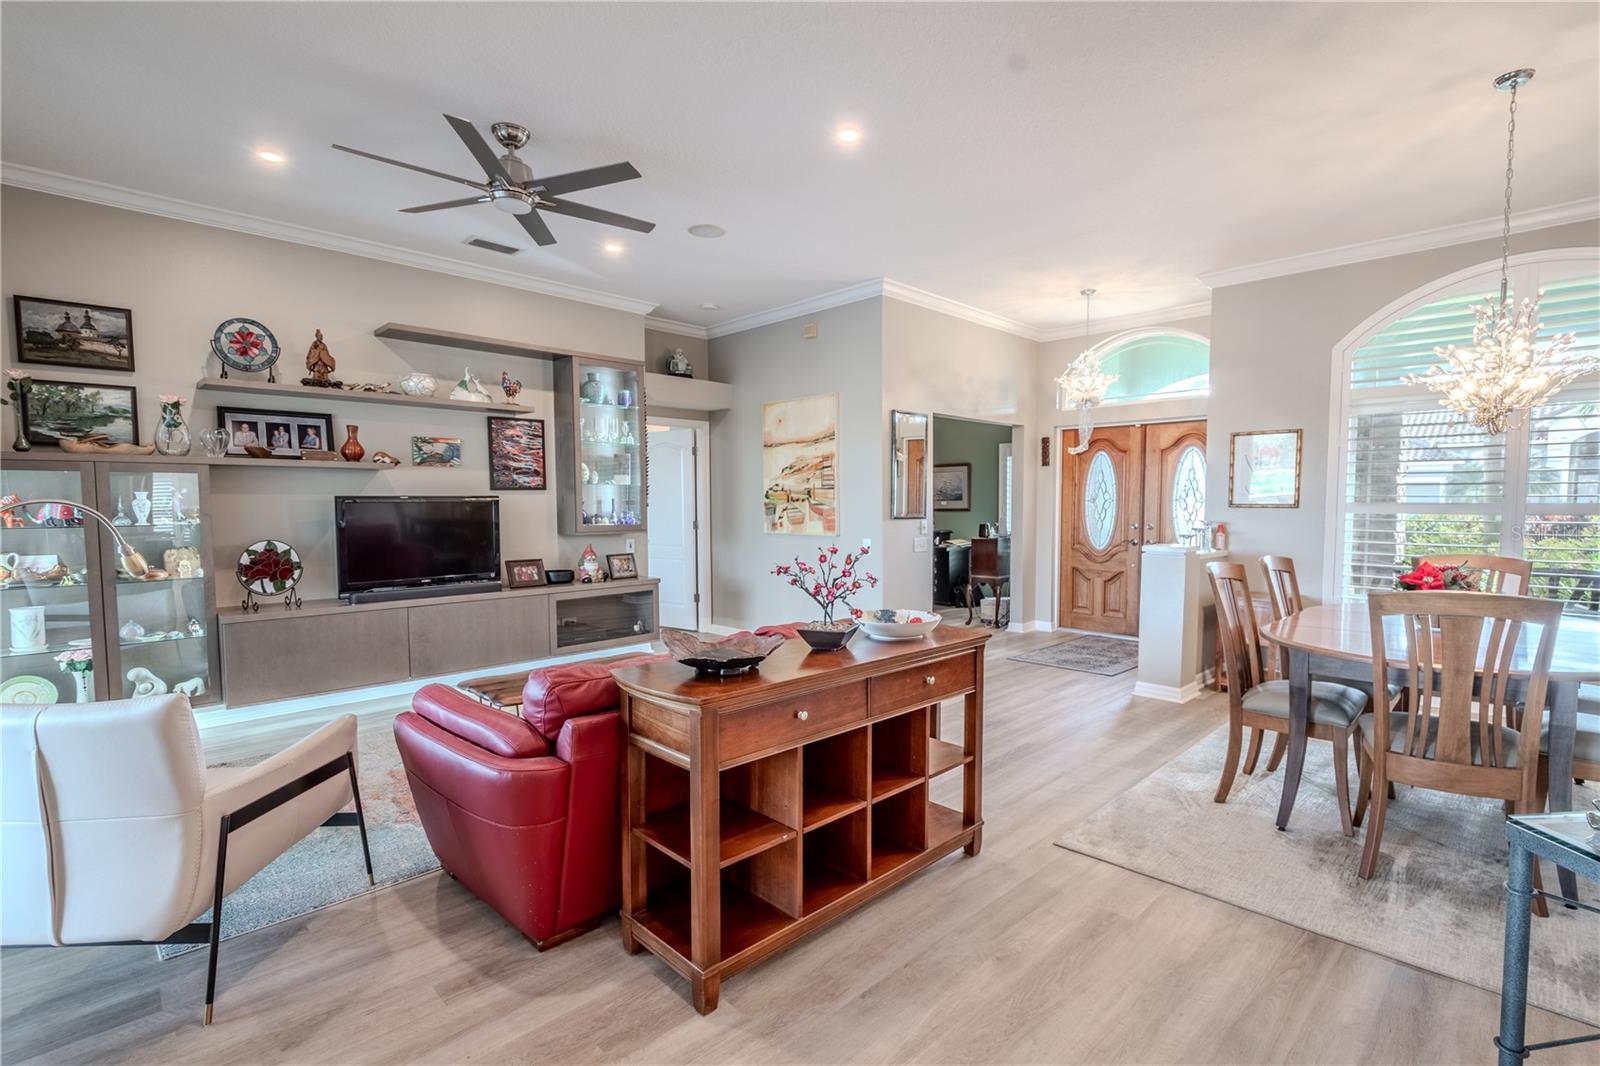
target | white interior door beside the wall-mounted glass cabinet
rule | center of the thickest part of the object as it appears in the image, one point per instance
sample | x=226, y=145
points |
x=671, y=513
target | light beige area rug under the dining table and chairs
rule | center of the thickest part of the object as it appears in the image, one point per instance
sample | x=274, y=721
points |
x=1436, y=902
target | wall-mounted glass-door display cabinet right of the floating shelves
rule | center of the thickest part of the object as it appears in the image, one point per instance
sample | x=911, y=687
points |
x=599, y=444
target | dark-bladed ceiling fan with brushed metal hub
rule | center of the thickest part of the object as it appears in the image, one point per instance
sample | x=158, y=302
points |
x=510, y=183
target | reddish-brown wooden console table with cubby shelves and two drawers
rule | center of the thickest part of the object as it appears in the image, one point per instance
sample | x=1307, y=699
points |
x=762, y=808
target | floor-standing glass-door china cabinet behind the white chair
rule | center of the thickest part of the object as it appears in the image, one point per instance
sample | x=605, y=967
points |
x=143, y=635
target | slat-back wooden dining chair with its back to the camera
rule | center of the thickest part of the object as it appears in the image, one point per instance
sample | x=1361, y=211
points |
x=1452, y=641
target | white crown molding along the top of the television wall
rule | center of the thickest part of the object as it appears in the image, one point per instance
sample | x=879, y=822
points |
x=238, y=222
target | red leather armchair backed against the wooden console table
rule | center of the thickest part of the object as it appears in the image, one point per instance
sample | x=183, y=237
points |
x=524, y=811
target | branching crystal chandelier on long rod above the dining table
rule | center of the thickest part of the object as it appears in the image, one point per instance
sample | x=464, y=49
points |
x=1506, y=372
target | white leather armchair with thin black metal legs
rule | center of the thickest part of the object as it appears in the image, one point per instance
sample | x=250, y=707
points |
x=113, y=830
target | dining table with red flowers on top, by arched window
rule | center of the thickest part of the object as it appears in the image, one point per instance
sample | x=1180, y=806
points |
x=1335, y=643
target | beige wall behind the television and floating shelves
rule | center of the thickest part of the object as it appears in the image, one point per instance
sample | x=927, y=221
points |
x=183, y=279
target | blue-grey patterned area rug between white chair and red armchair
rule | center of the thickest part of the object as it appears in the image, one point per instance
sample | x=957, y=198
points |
x=327, y=868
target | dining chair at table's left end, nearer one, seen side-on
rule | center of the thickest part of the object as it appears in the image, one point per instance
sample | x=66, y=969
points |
x=1263, y=707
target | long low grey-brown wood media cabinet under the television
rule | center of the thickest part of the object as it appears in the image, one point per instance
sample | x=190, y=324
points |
x=278, y=654
